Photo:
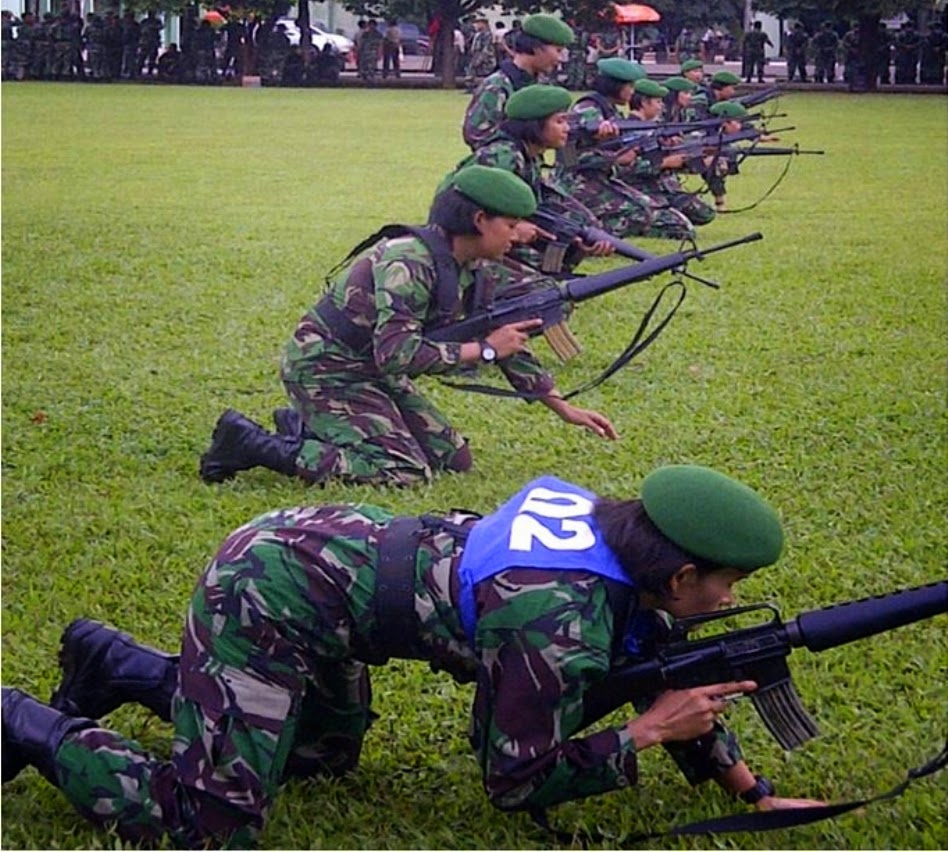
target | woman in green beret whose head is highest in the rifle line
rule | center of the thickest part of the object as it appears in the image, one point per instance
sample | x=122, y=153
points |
x=538, y=50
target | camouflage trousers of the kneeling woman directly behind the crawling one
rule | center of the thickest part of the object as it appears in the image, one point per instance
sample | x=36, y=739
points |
x=378, y=430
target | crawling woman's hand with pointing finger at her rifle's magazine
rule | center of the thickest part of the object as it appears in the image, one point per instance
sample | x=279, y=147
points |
x=683, y=714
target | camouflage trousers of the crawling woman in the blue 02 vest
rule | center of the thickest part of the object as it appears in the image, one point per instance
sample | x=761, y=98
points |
x=265, y=669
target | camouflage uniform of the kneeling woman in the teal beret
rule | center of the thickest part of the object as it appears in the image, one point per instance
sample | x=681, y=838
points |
x=592, y=180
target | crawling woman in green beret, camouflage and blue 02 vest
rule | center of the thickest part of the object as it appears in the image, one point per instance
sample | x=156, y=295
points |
x=537, y=602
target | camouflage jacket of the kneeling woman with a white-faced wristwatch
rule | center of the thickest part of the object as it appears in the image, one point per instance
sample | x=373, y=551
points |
x=397, y=310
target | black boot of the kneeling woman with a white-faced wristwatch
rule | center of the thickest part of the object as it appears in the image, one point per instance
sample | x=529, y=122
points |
x=240, y=444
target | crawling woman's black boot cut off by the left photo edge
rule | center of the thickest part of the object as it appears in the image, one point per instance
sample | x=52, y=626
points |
x=32, y=734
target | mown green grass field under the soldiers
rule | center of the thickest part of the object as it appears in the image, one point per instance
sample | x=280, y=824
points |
x=159, y=245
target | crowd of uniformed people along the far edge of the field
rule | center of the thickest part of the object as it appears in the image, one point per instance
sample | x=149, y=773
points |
x=106, y=47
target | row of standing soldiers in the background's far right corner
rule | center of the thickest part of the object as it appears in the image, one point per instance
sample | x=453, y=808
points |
x=916, y=58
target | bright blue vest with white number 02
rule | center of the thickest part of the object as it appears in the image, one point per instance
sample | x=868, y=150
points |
x=548, y=525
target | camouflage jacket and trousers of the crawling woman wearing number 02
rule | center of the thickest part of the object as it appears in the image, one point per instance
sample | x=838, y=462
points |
x=290, y=602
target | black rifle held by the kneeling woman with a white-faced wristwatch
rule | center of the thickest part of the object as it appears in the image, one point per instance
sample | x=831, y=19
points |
x=553, y=301
